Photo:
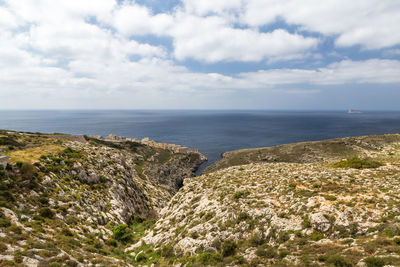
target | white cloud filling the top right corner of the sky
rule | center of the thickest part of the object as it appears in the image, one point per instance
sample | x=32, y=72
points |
x=370, y=23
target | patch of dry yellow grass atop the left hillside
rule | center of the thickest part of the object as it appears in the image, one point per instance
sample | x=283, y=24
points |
x=33, y=154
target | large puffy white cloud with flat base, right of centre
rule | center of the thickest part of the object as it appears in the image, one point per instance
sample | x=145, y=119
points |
x=214, y=40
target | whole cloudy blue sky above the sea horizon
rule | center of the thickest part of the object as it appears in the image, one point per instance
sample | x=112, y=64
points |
x=200, y=54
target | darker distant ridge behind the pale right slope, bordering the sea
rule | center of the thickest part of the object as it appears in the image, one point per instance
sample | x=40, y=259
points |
x=307, y=152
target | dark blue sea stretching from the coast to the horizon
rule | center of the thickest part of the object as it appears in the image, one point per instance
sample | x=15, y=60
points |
x=211, y=132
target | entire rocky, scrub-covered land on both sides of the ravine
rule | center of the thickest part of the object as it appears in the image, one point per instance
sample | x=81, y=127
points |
x=85, y=202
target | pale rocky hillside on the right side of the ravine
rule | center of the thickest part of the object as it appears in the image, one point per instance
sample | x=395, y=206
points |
x=343, y=213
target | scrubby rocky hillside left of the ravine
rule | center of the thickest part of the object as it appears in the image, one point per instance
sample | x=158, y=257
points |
x=63, y=197
